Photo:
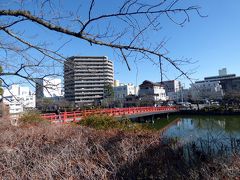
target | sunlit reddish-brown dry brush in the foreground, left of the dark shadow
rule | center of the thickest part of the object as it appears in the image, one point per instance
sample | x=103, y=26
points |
x=65, y=151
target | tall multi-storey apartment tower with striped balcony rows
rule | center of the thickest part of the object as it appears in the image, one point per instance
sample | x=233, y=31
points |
x=85, y=78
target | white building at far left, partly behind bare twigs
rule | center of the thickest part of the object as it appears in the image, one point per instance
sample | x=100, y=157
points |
x=19, y=98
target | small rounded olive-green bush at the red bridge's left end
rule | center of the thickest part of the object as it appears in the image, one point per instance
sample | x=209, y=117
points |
x=31, y=118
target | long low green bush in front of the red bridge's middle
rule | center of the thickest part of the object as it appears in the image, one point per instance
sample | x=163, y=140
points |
x=109, y=122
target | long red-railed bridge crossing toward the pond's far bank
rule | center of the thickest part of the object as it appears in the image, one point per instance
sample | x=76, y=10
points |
x=131, y=112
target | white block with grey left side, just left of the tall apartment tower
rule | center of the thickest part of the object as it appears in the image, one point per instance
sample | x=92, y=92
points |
x=48, y=87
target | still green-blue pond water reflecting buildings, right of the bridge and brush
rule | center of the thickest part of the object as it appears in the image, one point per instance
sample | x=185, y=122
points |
x=208, y=132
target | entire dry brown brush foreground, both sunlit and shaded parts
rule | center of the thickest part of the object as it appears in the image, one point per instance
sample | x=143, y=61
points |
x=77, y=152
